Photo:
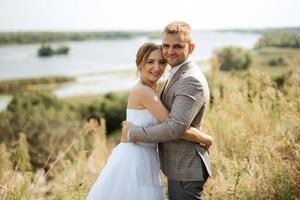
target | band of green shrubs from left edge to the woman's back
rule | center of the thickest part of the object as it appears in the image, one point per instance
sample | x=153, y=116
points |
x=51, y=124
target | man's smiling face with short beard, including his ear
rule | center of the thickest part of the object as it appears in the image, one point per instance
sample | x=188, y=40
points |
x=176, y=48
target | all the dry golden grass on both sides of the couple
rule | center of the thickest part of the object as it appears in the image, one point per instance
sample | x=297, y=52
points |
x=255, y=155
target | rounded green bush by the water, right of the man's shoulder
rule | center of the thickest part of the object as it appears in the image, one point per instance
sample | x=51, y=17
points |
x=233, y=58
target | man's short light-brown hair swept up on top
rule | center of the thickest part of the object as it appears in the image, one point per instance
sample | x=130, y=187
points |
x=179, y=27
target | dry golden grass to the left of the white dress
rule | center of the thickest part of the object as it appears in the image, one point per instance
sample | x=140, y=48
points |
x=69, y=177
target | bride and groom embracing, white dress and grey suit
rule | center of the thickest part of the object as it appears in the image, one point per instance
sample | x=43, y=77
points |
x=161, y=132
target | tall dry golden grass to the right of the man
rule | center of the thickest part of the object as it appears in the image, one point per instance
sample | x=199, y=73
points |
x=256, y=127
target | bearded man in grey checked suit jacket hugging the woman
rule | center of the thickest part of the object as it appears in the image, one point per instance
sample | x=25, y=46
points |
x=186, y=164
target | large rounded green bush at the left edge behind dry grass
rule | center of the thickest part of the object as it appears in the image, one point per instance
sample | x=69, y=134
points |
x=47, y=122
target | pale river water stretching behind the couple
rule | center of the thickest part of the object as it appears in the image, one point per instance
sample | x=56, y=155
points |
x=89, y=61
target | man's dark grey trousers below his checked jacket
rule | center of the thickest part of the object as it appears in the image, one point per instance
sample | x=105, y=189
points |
x=185, y=190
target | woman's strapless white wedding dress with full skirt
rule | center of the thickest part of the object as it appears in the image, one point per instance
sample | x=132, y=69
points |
x=132, y=171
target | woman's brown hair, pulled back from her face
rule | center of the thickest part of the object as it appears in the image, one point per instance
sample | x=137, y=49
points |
x=144, y=51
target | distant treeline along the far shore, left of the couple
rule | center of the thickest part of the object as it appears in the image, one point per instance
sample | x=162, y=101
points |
x=44, y=37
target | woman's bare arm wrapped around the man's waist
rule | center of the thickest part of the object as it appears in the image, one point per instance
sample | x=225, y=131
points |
x=148, y=99
